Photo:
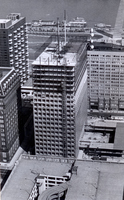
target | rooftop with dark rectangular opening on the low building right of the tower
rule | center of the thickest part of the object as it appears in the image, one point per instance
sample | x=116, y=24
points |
x=103, y=134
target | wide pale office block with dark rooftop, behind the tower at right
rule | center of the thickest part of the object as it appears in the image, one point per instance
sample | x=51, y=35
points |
x=106, y=77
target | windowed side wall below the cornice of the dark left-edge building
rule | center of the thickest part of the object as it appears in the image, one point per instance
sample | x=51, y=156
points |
x=11, y=122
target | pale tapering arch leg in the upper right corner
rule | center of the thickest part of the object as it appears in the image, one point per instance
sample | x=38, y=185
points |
x=118, y=29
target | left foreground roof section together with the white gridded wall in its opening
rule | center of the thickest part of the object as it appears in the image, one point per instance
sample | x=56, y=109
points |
x=38, y=175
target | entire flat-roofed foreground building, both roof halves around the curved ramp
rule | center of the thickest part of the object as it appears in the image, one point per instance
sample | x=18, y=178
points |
x=91, y=179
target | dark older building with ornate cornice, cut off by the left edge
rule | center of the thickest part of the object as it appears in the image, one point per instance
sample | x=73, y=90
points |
x=9, y=99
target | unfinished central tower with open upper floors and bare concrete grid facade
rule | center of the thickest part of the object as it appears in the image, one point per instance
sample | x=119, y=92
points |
x=60, y=100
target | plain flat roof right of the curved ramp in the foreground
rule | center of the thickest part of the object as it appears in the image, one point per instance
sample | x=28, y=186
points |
x=96, y=180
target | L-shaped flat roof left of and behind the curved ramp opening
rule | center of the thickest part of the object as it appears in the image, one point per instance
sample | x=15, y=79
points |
x=21, y=181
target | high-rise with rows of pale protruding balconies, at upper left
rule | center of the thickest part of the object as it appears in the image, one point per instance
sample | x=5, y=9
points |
x=13, y=44
